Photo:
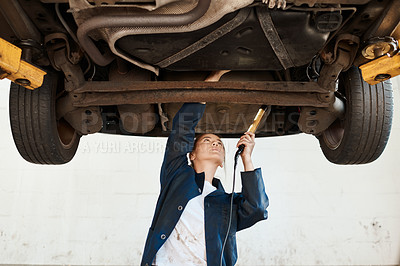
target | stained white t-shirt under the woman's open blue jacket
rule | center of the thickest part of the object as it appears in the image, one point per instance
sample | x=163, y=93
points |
x=187, y=245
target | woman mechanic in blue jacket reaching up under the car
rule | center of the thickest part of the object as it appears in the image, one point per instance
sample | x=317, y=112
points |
x=191, y=218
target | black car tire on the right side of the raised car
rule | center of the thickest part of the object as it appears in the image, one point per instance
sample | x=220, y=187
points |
x=361, y=136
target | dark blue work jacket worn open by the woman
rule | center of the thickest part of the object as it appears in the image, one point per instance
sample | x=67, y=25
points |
x=180, y=183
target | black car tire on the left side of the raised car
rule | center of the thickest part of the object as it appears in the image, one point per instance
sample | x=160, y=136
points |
x=39, y=137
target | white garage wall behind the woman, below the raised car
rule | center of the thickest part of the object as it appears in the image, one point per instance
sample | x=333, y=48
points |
x=96, y=209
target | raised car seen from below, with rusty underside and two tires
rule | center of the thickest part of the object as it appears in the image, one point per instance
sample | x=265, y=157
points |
x=125, y=67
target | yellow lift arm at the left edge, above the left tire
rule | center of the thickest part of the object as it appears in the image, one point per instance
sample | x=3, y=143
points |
x=17, y=70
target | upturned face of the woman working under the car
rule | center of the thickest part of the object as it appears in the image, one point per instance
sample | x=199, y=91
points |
x=209, y=148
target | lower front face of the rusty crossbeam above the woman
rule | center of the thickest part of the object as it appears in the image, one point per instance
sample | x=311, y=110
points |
x=173, y=95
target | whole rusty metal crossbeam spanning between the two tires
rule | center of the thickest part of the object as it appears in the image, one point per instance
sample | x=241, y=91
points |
x=103, y=93
